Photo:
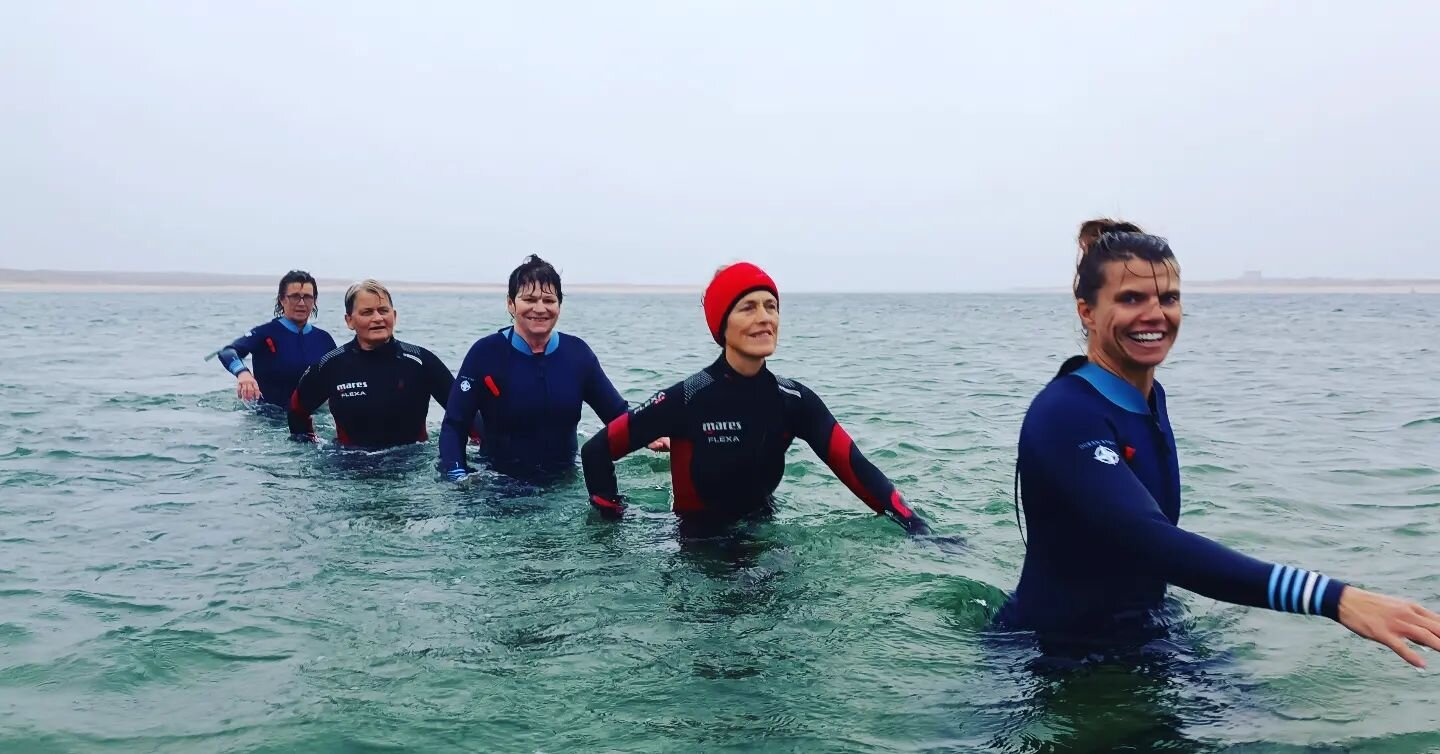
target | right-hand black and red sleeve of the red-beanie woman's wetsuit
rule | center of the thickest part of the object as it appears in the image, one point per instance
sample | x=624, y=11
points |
x=816, y=425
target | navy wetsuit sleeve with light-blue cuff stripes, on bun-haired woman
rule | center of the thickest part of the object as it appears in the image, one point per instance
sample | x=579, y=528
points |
x=1065, y=447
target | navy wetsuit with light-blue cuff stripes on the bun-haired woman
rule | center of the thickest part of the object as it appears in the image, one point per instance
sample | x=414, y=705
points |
x=1101, y=490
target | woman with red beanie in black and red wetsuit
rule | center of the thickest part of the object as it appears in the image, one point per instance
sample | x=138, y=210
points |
x=732, y=422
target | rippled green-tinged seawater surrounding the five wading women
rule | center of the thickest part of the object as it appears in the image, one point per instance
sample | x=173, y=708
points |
x=176, y=576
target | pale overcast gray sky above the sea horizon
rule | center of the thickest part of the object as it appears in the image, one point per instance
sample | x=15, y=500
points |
x=843, y=146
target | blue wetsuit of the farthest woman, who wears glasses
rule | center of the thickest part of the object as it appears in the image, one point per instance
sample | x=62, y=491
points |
x=282, y=352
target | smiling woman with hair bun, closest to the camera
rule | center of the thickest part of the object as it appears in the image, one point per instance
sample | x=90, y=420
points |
x=1099, y=480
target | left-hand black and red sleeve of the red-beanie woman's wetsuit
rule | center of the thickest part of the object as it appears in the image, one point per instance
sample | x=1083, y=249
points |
x=657, y=418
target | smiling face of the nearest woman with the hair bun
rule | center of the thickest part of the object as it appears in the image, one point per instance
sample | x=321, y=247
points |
x=1135, y=316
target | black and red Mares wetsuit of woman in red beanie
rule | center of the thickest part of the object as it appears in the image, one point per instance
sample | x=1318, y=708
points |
x=729, y=435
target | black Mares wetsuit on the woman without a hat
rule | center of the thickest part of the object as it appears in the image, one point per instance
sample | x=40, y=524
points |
x=379, y=398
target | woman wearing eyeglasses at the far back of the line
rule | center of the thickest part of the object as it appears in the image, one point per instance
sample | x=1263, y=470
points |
x=280, y=350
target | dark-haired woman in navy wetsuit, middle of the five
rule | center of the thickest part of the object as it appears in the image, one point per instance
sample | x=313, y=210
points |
x=526, y=383
